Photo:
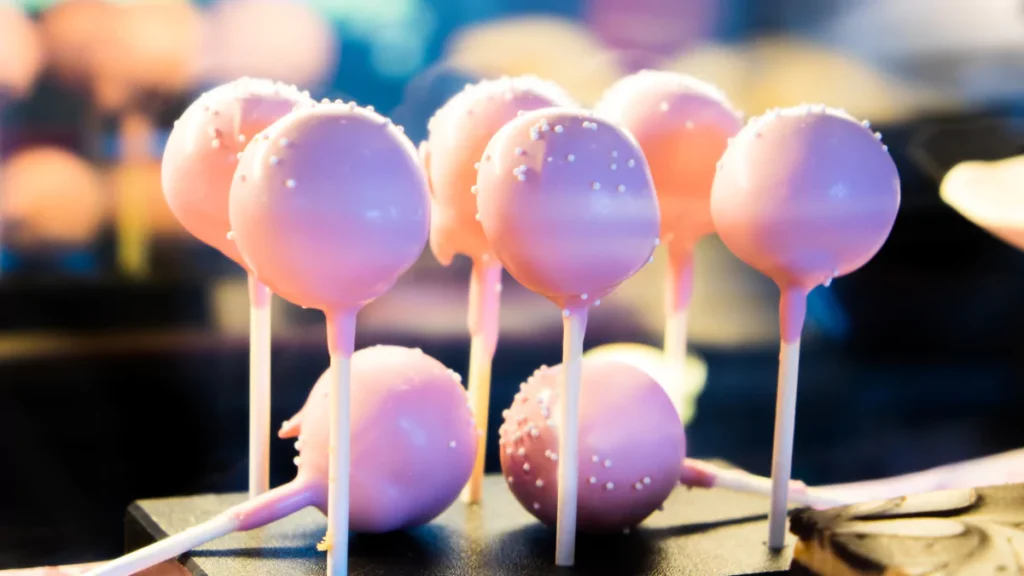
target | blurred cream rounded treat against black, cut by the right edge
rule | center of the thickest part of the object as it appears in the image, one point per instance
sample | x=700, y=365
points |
x=989, y=194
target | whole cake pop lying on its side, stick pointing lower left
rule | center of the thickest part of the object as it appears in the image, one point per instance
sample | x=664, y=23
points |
x=413, y=447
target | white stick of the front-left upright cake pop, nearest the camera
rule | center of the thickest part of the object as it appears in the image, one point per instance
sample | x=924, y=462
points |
x=342, y=343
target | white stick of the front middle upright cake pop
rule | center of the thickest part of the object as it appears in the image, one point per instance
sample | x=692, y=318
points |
x=575, y=325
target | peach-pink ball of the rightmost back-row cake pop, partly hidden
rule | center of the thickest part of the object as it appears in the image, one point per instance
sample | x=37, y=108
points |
x=684, y=127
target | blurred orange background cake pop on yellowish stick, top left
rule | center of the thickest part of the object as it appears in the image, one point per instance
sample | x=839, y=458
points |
x=153, y=49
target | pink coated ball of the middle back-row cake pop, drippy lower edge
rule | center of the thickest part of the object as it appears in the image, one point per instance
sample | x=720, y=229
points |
x=459, y=133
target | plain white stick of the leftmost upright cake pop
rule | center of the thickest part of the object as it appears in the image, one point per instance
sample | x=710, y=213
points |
x=260, y=388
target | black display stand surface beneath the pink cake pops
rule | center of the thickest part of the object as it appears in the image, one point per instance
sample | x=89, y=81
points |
x=700, y=532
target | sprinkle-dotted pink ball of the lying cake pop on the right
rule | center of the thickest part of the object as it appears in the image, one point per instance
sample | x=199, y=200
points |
x=631, y=445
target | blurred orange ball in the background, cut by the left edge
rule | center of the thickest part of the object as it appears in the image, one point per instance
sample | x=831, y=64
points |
x=52, y=198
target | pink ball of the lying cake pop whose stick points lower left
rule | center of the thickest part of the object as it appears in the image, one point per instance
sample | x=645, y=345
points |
x=414, y=440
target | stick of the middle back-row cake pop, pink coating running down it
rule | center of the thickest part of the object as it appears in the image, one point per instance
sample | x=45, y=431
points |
x=485, y=301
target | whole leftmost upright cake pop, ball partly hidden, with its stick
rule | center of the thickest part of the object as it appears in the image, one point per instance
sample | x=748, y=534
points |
x=199, y=163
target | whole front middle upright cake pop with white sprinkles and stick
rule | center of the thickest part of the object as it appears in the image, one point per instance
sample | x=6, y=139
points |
x=568, y=204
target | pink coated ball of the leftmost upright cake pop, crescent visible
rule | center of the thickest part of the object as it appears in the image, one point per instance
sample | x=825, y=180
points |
x=203, y=151
